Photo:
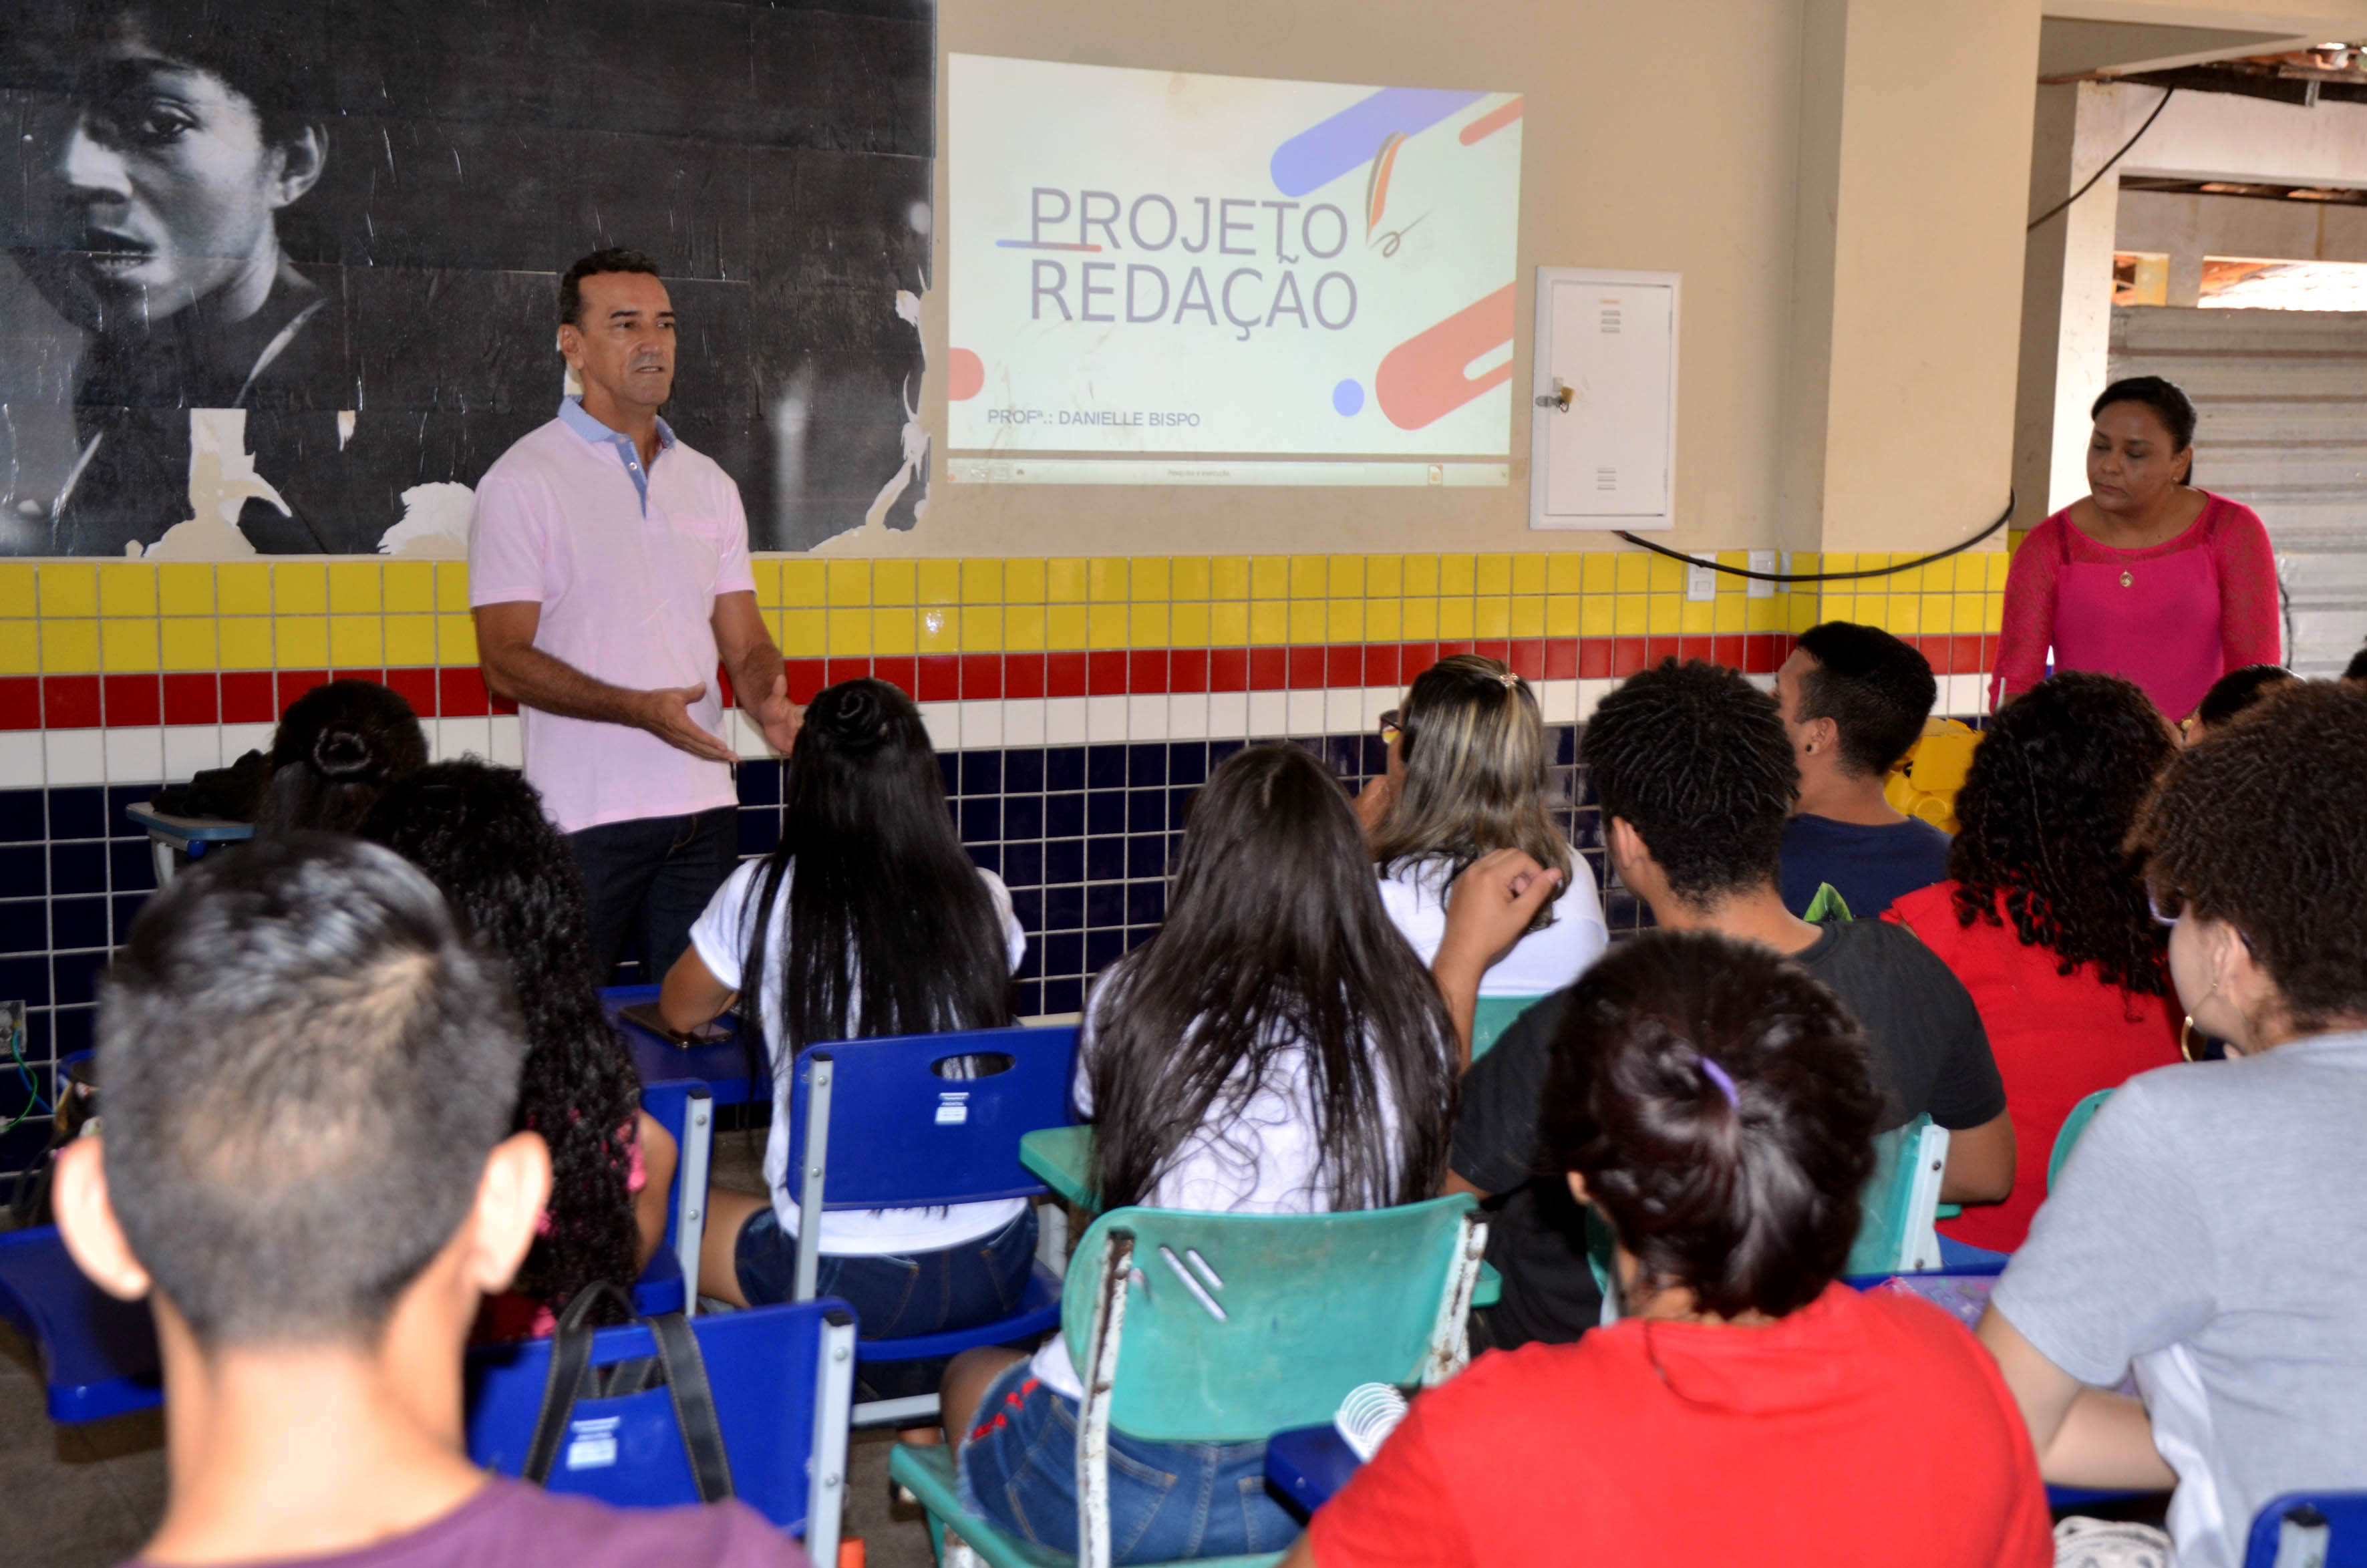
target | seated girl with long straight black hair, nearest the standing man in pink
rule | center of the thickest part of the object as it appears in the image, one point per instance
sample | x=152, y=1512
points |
x=868, y=920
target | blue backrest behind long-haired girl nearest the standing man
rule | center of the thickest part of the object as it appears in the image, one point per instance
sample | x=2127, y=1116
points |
x=896, y=1133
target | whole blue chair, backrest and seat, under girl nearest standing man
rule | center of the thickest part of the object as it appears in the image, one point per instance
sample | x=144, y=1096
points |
x=877, y=1126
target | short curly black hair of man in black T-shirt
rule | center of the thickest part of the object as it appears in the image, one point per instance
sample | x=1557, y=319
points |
x=1696, y=759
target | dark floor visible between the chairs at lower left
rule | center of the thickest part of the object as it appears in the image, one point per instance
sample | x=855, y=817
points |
x=89, y=1496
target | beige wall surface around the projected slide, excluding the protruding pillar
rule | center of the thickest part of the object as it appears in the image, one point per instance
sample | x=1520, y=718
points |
x=1658, y=136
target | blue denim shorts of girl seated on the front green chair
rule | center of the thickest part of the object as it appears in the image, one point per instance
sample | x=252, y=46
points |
x=1168, y=1500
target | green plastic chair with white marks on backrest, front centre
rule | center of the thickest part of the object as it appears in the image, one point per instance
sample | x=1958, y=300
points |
x=1227, y=1330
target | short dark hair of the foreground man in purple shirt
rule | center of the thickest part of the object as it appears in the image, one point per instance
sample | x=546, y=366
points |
x=307, y=1065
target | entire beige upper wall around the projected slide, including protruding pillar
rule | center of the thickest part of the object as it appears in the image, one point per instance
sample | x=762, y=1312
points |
x=1658, y=136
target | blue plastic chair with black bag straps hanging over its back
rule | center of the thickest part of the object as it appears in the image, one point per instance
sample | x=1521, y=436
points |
x=782, y=1377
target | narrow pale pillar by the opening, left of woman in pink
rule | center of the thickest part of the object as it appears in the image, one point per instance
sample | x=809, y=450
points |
x=2068, y=295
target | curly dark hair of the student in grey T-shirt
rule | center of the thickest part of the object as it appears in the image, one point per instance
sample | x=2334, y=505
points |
x=2264, y=825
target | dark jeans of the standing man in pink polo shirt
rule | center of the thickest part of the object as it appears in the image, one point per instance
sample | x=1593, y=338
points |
x=652, y=880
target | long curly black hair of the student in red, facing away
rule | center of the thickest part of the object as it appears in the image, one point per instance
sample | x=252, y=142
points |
x=2042, y=823
